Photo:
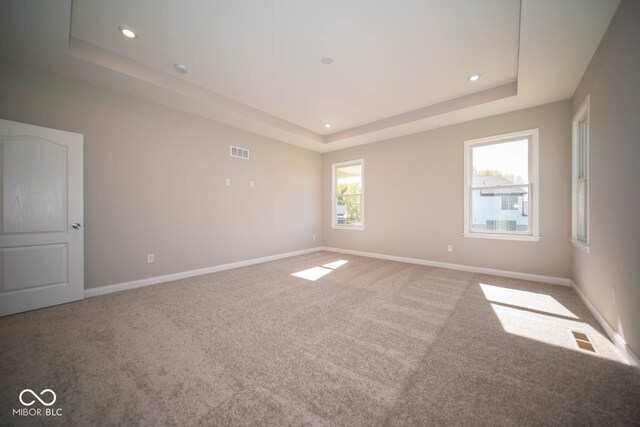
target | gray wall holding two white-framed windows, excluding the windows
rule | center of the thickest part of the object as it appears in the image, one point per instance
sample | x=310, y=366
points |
x=414, y=196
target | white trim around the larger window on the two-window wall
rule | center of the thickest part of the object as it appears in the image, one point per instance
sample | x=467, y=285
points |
x=534, y=194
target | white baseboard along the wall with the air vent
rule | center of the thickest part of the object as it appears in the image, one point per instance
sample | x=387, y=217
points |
x=102, y=290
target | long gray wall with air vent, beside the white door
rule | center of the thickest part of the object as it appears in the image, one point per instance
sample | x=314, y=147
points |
x=154, y=181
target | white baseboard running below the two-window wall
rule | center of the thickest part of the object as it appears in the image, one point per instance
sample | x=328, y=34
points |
x=470, y=268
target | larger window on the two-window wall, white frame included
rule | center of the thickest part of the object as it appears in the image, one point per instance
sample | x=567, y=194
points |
x=501, y=187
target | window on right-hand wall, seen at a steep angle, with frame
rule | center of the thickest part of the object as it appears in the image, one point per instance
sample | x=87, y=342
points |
x=580, y=174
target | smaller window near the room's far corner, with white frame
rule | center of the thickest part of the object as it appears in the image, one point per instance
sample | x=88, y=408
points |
x=348, y=195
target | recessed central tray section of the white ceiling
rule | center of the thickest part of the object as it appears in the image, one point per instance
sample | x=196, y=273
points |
x=389, y=57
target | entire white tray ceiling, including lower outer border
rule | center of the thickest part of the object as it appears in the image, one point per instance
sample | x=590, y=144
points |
x=399, y=67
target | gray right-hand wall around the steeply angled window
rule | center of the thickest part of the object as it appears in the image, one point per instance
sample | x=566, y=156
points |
x=612, y=81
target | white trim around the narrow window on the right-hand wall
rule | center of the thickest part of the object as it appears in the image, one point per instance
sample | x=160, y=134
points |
x=583, y=112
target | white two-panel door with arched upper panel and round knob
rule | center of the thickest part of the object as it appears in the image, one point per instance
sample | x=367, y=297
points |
x=41, y=232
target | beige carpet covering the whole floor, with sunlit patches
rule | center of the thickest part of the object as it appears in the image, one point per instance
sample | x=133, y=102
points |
x=371, y=342
